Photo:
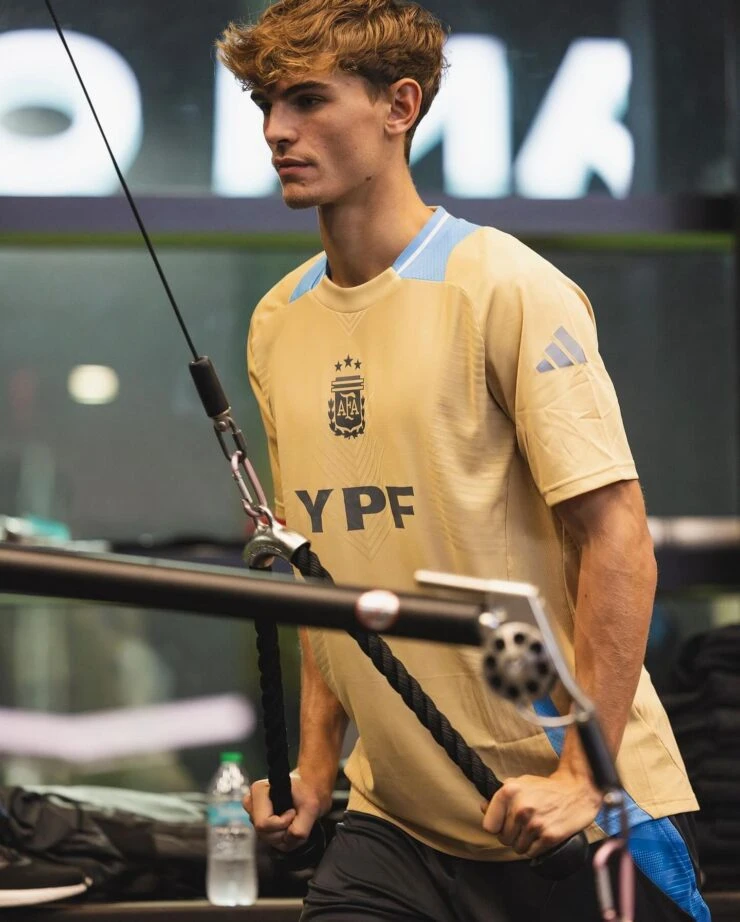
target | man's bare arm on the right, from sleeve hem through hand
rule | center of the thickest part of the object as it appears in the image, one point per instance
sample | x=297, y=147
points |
x=616, y=588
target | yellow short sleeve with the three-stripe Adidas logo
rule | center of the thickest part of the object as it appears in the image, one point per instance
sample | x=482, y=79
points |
x=544, y=368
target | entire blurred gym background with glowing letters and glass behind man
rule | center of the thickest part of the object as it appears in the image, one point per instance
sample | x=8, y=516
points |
x=605, y=134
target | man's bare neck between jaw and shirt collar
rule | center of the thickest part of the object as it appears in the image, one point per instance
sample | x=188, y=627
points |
x=364, y=237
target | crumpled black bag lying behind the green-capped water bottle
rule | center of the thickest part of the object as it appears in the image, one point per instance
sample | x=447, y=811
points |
x=152, y=848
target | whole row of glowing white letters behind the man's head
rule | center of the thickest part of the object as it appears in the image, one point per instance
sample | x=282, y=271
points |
x=577, y=133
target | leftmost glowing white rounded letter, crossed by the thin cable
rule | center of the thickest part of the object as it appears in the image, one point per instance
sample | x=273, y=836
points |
x=73, y=162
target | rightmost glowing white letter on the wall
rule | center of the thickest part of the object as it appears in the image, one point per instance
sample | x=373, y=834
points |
x=577, y=132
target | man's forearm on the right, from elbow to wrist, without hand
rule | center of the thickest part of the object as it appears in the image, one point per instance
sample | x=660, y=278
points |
x=616, y=589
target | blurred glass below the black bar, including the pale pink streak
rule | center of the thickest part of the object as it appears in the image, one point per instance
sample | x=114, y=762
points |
x=150, y=698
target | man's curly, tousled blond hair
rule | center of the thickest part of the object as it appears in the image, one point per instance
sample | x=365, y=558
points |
x=380, y=40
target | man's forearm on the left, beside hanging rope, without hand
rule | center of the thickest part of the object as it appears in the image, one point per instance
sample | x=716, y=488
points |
x=323, y=725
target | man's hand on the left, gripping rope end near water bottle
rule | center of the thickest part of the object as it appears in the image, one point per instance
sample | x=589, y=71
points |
x=292, y=828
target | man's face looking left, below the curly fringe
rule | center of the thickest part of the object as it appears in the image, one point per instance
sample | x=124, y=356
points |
x=326, y=137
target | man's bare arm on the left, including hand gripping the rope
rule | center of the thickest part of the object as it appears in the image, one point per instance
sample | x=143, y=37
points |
x=323, y=725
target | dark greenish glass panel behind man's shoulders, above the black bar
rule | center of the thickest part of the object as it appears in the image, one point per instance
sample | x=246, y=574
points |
x=148, y=463
